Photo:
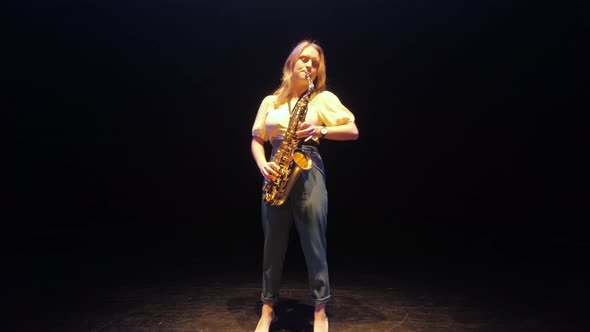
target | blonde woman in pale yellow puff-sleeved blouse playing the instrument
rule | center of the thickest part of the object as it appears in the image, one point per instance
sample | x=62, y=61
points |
x=306, y=205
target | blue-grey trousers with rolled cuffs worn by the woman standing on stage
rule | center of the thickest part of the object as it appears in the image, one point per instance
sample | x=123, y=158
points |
x=307, y=208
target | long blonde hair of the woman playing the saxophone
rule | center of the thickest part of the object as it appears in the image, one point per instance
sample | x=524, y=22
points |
x=284, y=92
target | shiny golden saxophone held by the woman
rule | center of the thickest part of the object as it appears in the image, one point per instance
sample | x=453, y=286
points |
x=289, y=157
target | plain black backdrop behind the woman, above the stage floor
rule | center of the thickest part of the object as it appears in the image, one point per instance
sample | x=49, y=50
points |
x=129, y=123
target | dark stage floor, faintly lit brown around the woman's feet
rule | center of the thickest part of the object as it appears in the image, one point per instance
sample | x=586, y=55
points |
x=218, y=290
